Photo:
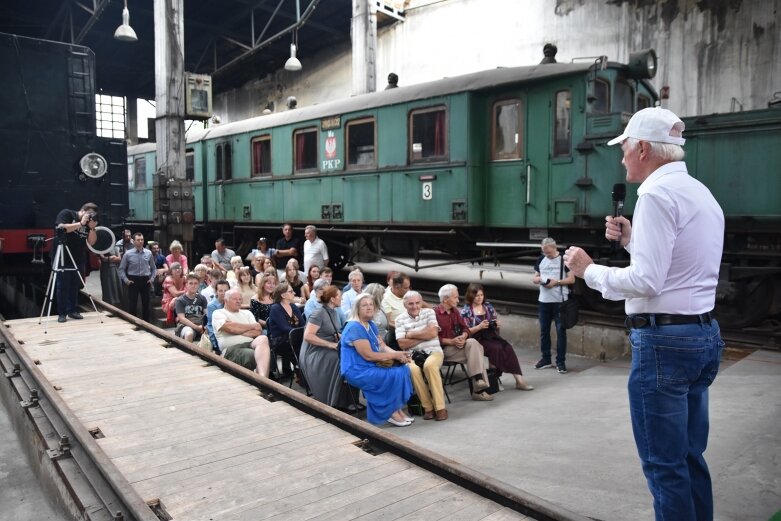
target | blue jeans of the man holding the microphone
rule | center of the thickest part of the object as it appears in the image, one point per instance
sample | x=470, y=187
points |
x=672, y=367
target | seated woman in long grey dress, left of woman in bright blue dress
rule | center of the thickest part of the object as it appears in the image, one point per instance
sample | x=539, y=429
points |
x=319, y=358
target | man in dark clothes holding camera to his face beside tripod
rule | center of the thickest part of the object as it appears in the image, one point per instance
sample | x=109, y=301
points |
x=72, y=228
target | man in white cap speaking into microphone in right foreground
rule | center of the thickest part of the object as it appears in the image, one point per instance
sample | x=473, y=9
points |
x=675, y=242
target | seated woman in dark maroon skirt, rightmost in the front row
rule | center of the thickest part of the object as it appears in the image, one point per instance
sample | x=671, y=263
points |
x=484, y=324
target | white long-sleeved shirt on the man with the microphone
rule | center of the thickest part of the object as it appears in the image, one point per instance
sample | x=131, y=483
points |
x=676, y=246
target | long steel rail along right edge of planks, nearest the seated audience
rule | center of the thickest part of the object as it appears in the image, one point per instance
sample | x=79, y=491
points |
x=477, y=482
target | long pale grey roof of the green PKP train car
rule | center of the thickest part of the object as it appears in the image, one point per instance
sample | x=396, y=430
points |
x=467, y=82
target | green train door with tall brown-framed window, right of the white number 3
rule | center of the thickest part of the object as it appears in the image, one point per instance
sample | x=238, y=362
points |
x=505, y=200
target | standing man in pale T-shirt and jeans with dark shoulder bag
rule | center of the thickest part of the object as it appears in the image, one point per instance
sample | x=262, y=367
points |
x=553, y=278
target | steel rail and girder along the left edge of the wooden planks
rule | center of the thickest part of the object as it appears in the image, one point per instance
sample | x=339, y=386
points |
x=105, y=483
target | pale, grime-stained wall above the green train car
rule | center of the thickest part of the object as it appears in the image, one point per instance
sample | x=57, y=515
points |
x=710, y=51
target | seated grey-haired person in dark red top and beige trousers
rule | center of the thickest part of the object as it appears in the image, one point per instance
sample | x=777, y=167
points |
x=455, y=341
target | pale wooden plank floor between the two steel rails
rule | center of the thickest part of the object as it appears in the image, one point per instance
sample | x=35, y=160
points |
x=210, y=448
